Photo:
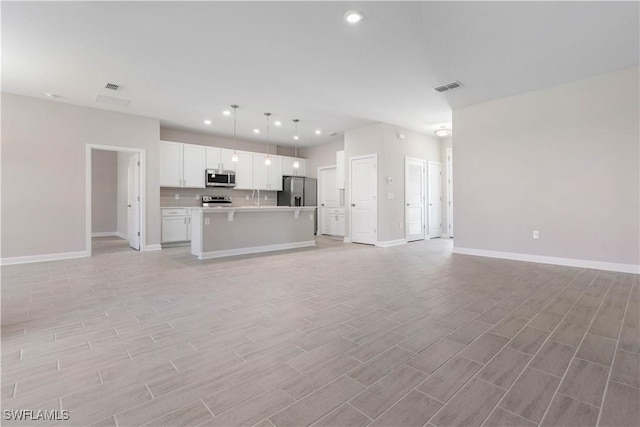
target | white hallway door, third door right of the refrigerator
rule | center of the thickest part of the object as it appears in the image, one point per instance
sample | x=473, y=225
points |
x=414, y=194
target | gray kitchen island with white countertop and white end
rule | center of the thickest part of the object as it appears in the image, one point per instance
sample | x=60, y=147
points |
x=227, y=231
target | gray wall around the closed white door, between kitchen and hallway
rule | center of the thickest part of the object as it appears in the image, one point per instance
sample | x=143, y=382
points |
x=382, y=139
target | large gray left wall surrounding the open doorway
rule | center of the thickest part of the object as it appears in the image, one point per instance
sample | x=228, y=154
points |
x=43, y=171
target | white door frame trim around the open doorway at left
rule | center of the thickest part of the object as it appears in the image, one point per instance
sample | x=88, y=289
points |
x=143, y=191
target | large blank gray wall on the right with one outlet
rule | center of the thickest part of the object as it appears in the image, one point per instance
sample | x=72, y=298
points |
x=562, y=160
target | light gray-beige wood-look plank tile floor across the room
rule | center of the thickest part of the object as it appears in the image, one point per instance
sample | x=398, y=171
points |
x=337, y=335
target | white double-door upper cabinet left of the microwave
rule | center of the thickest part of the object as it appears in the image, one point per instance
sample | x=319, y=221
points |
x=182, y=165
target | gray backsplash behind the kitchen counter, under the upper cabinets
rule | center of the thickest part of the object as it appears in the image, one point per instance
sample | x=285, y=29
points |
x=192, y=197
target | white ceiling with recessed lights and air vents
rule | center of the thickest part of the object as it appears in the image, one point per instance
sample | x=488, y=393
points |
x=186, y=62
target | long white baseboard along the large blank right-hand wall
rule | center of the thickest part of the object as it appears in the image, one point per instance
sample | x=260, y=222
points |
x=569, y=262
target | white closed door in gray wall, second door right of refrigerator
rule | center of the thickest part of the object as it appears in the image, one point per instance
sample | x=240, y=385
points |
x=363, y=180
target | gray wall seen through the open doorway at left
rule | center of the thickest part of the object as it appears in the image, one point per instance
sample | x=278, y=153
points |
x=104, y=191
